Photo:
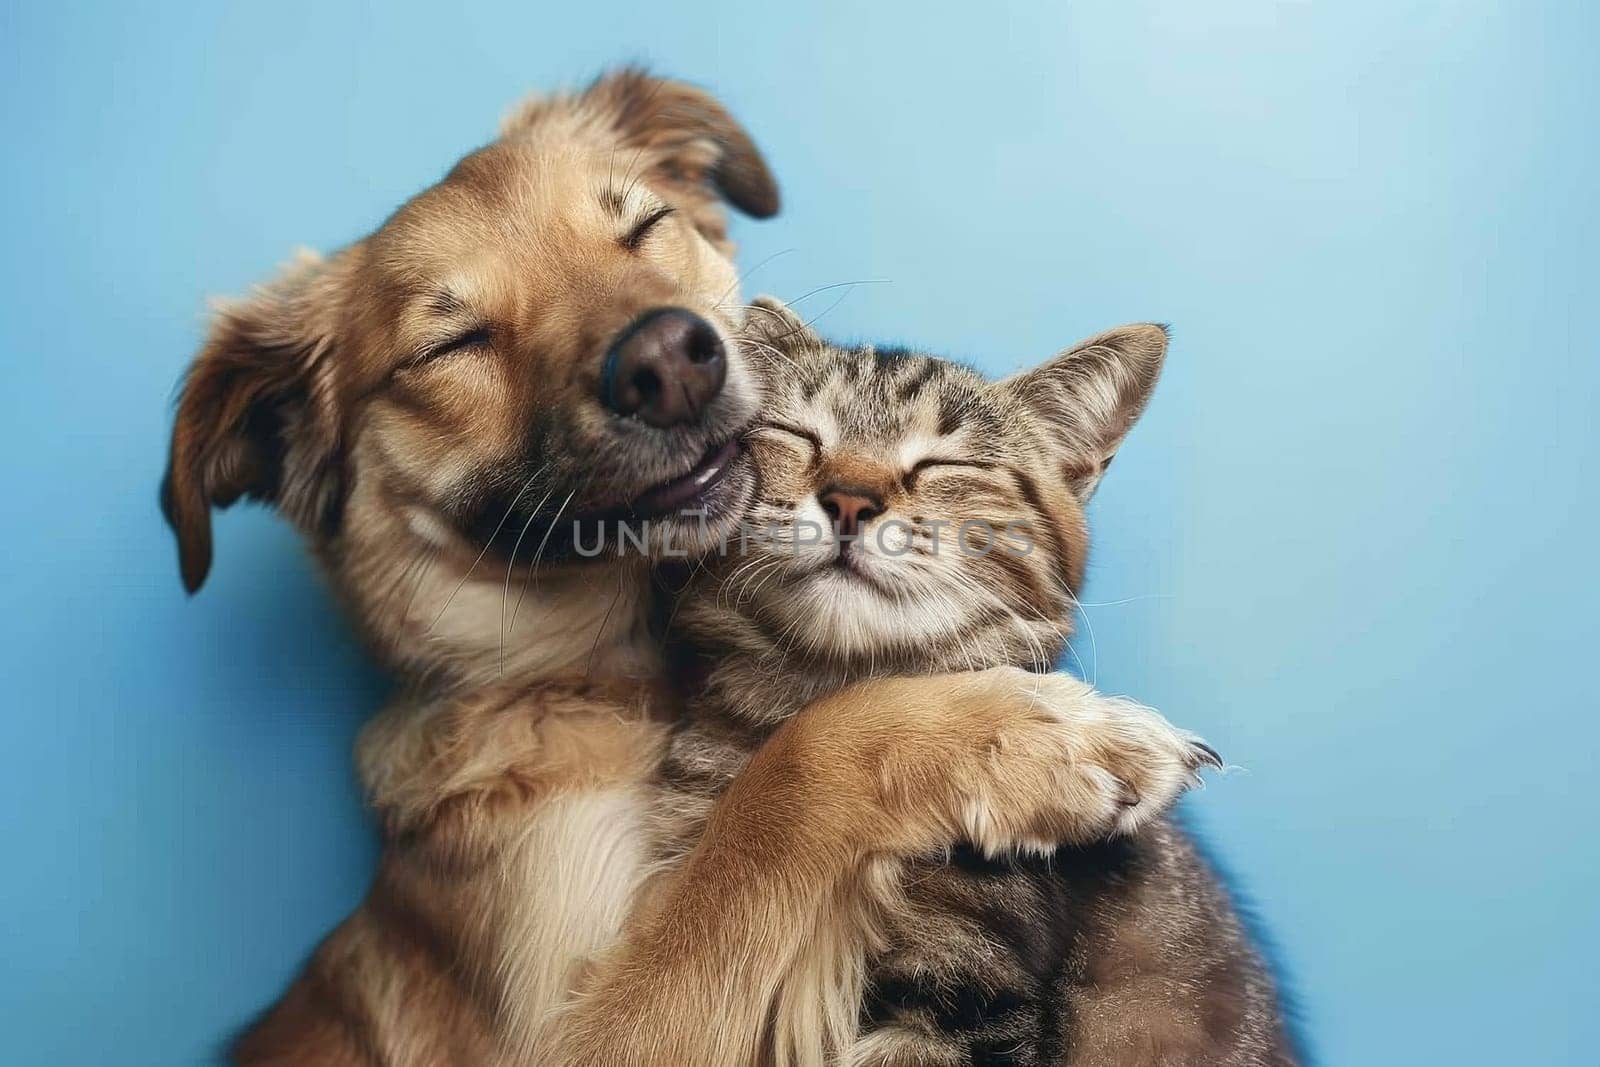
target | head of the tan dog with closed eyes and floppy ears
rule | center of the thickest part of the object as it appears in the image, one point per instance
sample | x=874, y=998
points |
x=430, y=393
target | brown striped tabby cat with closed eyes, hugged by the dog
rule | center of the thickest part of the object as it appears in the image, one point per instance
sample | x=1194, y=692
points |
x=1111, y=953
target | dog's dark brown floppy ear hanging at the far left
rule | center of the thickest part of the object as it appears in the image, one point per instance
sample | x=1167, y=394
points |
x=257, y=417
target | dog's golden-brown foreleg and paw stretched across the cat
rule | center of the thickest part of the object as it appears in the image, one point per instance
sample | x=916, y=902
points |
x=890, y=769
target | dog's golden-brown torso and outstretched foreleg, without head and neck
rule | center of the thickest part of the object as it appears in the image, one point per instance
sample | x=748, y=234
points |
x=434, y=965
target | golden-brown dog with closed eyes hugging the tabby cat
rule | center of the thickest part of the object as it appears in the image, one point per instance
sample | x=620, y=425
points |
x=551, y=337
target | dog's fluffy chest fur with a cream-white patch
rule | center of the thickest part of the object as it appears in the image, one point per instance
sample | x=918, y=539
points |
x=521, y=834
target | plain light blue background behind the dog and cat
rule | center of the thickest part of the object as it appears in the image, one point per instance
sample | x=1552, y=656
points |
x=1353, y=541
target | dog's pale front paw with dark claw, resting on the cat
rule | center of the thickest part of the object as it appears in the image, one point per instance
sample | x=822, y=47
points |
x=1089, y=765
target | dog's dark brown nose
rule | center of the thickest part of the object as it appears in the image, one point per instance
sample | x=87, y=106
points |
x=665, y=369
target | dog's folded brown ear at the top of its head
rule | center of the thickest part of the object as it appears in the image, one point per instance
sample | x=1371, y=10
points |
x=674, y=135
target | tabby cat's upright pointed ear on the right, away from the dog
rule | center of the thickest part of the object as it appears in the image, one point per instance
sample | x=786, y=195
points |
x=1092, y=394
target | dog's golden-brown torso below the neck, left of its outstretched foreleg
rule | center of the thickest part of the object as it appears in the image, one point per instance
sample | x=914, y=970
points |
x=471, y=799
